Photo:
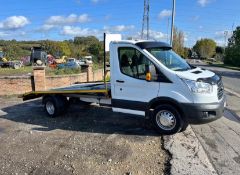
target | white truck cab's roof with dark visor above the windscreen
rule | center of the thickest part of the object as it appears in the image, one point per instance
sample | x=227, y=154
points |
x=144, y=44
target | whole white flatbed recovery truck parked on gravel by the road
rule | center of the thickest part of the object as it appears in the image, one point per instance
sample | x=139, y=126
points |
x=147, y=79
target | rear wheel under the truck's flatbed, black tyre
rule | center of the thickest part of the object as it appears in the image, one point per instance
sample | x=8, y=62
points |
x=55, y=105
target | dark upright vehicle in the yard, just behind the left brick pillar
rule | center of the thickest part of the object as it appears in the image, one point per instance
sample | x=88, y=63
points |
x=38, y=56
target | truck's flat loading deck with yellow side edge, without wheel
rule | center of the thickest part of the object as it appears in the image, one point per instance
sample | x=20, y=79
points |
x=94, y=89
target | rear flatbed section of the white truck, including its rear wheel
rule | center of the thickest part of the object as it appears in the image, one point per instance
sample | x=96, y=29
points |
x=56, y=101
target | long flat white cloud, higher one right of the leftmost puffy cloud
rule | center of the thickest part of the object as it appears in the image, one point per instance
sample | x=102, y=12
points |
x=71, y=19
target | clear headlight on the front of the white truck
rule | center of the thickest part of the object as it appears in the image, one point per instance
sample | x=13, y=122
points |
x=199, y=87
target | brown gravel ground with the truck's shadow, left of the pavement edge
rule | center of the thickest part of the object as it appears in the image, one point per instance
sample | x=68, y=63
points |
x=87, y=140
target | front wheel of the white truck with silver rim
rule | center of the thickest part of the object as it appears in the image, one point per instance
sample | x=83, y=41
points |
x=165, y=115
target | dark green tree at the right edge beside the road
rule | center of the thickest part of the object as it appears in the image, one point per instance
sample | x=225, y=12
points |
x=233, y=50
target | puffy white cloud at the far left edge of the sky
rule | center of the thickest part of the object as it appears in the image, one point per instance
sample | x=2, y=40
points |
x=14, y=22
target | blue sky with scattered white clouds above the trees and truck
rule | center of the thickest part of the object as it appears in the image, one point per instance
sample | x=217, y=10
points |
x=65, y=19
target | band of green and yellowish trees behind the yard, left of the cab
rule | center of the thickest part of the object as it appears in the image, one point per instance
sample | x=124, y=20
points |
x=77, y=47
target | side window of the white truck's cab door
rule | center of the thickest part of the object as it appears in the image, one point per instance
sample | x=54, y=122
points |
x=134, y=64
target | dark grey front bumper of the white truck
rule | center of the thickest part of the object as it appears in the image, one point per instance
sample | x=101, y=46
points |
x=203, y=113
